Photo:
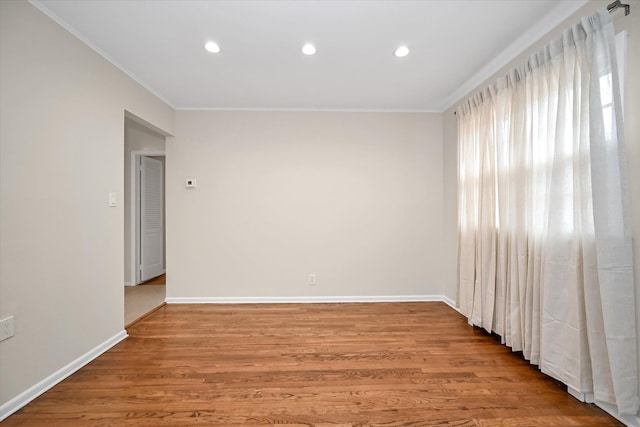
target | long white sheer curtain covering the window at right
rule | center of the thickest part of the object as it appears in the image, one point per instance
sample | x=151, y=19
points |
x=545, y=256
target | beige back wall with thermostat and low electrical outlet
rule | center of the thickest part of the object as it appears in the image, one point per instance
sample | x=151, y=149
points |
x=355, y=198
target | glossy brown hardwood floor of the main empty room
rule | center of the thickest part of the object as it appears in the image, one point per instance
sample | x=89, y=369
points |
x=391, y=364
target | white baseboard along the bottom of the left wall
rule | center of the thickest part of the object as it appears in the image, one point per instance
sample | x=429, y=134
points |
x=36, y=390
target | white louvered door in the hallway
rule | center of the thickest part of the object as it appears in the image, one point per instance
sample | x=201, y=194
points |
x=151, y=219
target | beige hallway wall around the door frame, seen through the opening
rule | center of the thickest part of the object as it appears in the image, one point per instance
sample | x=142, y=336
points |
x=136, y=137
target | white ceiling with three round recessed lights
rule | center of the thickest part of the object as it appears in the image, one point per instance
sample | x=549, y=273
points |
x=455, y=44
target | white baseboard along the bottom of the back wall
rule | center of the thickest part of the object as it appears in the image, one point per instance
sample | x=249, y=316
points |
x=324, y=299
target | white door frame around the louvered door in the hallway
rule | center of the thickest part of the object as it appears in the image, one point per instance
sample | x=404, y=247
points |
x=135, y=209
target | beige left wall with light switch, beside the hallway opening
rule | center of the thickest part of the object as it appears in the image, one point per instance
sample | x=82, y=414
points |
x=61, y=152
